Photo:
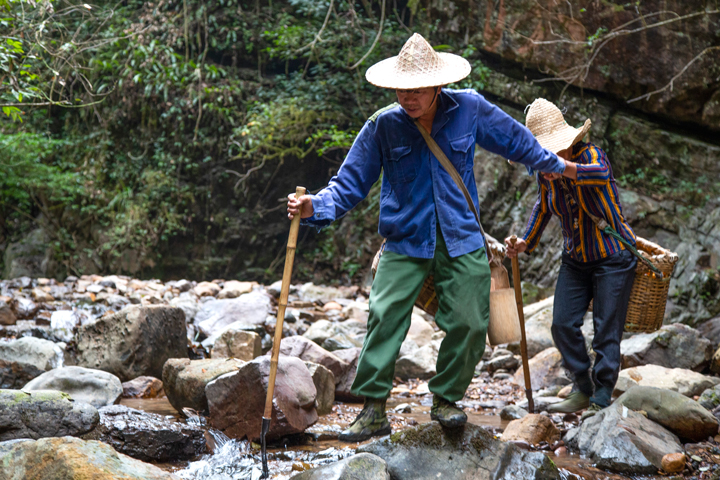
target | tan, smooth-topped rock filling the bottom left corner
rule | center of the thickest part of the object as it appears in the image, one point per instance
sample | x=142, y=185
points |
x=69, y=458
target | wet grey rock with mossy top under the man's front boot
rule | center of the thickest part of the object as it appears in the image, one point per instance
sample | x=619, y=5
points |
x=427, y=451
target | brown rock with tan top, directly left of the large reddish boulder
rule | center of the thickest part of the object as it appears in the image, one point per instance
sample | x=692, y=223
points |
x=184, y=380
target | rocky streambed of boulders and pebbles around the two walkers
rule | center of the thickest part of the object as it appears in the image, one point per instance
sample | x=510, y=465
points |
x=143, y=379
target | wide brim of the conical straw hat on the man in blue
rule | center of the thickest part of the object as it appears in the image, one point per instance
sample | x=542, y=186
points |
x=385, y=74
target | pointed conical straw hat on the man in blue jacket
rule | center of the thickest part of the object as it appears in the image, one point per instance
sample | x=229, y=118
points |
x=418, y=66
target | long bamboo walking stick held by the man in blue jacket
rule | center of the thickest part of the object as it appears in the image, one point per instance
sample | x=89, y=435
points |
x=282, y=305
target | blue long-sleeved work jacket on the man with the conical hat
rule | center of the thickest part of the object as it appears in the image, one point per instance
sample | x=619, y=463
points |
x=417, y=193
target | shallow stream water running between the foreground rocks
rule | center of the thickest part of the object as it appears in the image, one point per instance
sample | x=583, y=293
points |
x=240, y=460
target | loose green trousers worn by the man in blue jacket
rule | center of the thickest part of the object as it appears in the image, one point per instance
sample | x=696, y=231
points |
x=462, y=285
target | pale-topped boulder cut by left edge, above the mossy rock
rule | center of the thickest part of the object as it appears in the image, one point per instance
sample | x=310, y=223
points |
x=23, y=359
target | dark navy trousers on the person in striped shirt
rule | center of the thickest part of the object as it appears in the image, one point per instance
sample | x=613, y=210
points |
x=608, y=281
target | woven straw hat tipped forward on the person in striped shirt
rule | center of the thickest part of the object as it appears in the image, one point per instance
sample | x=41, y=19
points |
x=552, y=132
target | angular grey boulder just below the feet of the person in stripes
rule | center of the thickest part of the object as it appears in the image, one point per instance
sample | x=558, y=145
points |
x=623, y=441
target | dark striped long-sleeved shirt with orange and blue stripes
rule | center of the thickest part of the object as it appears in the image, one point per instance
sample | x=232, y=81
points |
x=593, y=191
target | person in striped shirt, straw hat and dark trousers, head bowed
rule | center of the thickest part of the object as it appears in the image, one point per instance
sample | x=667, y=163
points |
x=594, y=266
